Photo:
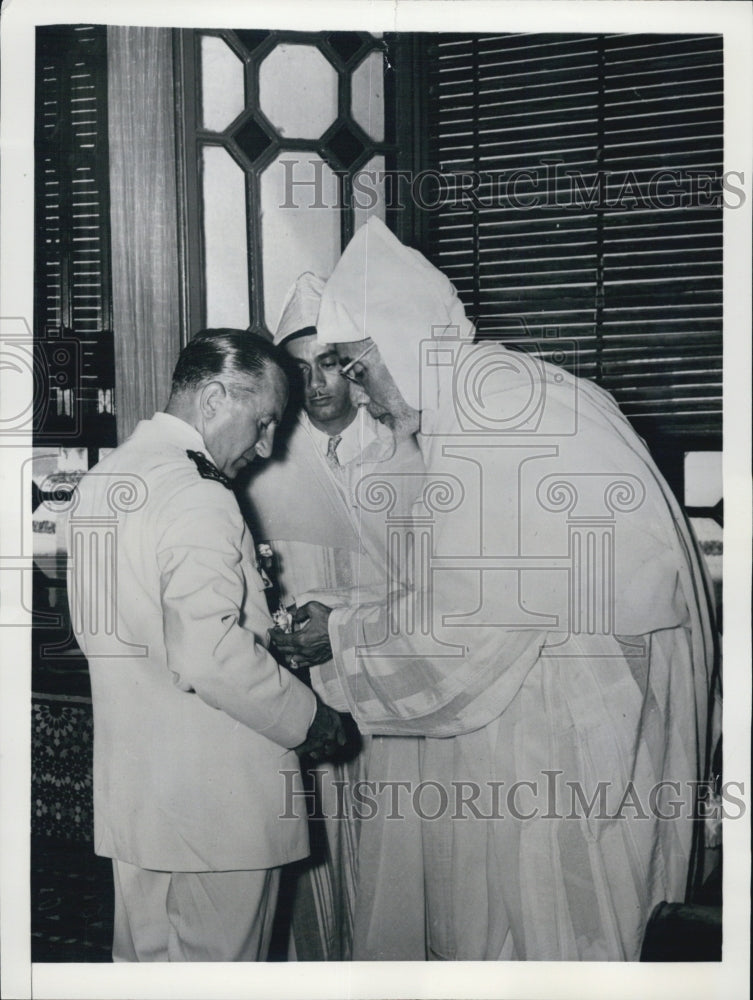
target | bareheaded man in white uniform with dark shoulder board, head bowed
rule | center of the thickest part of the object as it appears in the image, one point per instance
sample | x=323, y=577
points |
x=193, y=718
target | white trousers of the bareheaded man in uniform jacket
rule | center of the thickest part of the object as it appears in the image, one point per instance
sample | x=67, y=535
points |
x=193, y=916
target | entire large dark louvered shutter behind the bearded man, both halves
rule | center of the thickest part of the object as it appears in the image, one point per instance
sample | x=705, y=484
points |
x=594, y=212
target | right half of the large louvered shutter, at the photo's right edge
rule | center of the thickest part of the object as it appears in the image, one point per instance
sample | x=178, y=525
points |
x=661, y=330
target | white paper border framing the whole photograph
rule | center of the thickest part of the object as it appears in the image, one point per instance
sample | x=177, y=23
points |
x=383, y=980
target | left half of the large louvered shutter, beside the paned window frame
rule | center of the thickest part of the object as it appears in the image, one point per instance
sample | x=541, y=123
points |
x=509, y=111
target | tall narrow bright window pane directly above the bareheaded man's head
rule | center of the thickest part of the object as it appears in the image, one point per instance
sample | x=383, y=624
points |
x=225, y=239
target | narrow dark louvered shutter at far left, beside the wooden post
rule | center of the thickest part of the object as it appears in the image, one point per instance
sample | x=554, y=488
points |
x=72, y=236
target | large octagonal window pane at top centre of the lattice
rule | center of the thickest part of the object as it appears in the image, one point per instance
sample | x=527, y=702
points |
x=298, y=91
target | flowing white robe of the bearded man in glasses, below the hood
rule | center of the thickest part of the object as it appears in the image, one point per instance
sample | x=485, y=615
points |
x=554, y=637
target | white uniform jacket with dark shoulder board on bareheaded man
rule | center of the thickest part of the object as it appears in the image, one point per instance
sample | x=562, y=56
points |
x=192, y=715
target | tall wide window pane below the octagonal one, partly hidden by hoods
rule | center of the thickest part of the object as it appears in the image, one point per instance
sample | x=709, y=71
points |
x=300, y=220
